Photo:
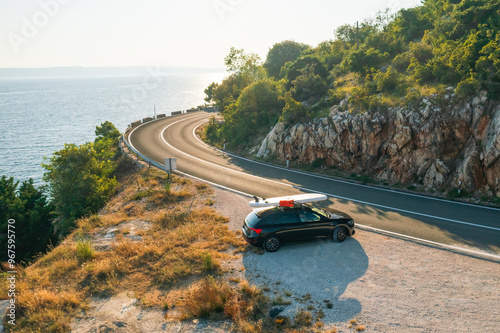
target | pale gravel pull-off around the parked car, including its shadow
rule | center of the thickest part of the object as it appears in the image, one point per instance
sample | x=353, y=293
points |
x=384, y=283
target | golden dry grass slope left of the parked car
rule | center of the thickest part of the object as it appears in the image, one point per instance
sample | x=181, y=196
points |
x=186, y=241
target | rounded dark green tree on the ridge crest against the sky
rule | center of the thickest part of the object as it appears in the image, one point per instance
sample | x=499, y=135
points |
x=280, y=54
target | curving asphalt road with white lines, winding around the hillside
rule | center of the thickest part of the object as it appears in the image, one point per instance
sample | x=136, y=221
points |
x=436, y=220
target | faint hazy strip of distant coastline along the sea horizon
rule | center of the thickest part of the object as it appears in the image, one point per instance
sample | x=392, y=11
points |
x=81, y=72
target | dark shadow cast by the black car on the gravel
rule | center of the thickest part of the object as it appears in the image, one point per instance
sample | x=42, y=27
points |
x=321, y=269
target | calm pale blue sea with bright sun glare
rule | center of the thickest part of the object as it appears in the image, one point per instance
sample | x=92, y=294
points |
x=38, y=116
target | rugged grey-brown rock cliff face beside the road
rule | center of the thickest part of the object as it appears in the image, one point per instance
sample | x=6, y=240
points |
x=440, y=143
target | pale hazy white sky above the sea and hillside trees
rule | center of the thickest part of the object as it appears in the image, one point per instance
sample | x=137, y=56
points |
x=193, y=33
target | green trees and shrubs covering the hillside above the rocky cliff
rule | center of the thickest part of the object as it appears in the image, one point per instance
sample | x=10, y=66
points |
x=393, y=59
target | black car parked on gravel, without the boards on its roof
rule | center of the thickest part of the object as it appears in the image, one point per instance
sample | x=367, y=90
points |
x=271, y=226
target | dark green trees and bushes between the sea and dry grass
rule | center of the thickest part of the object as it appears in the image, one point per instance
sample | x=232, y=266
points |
x=80, y=180
